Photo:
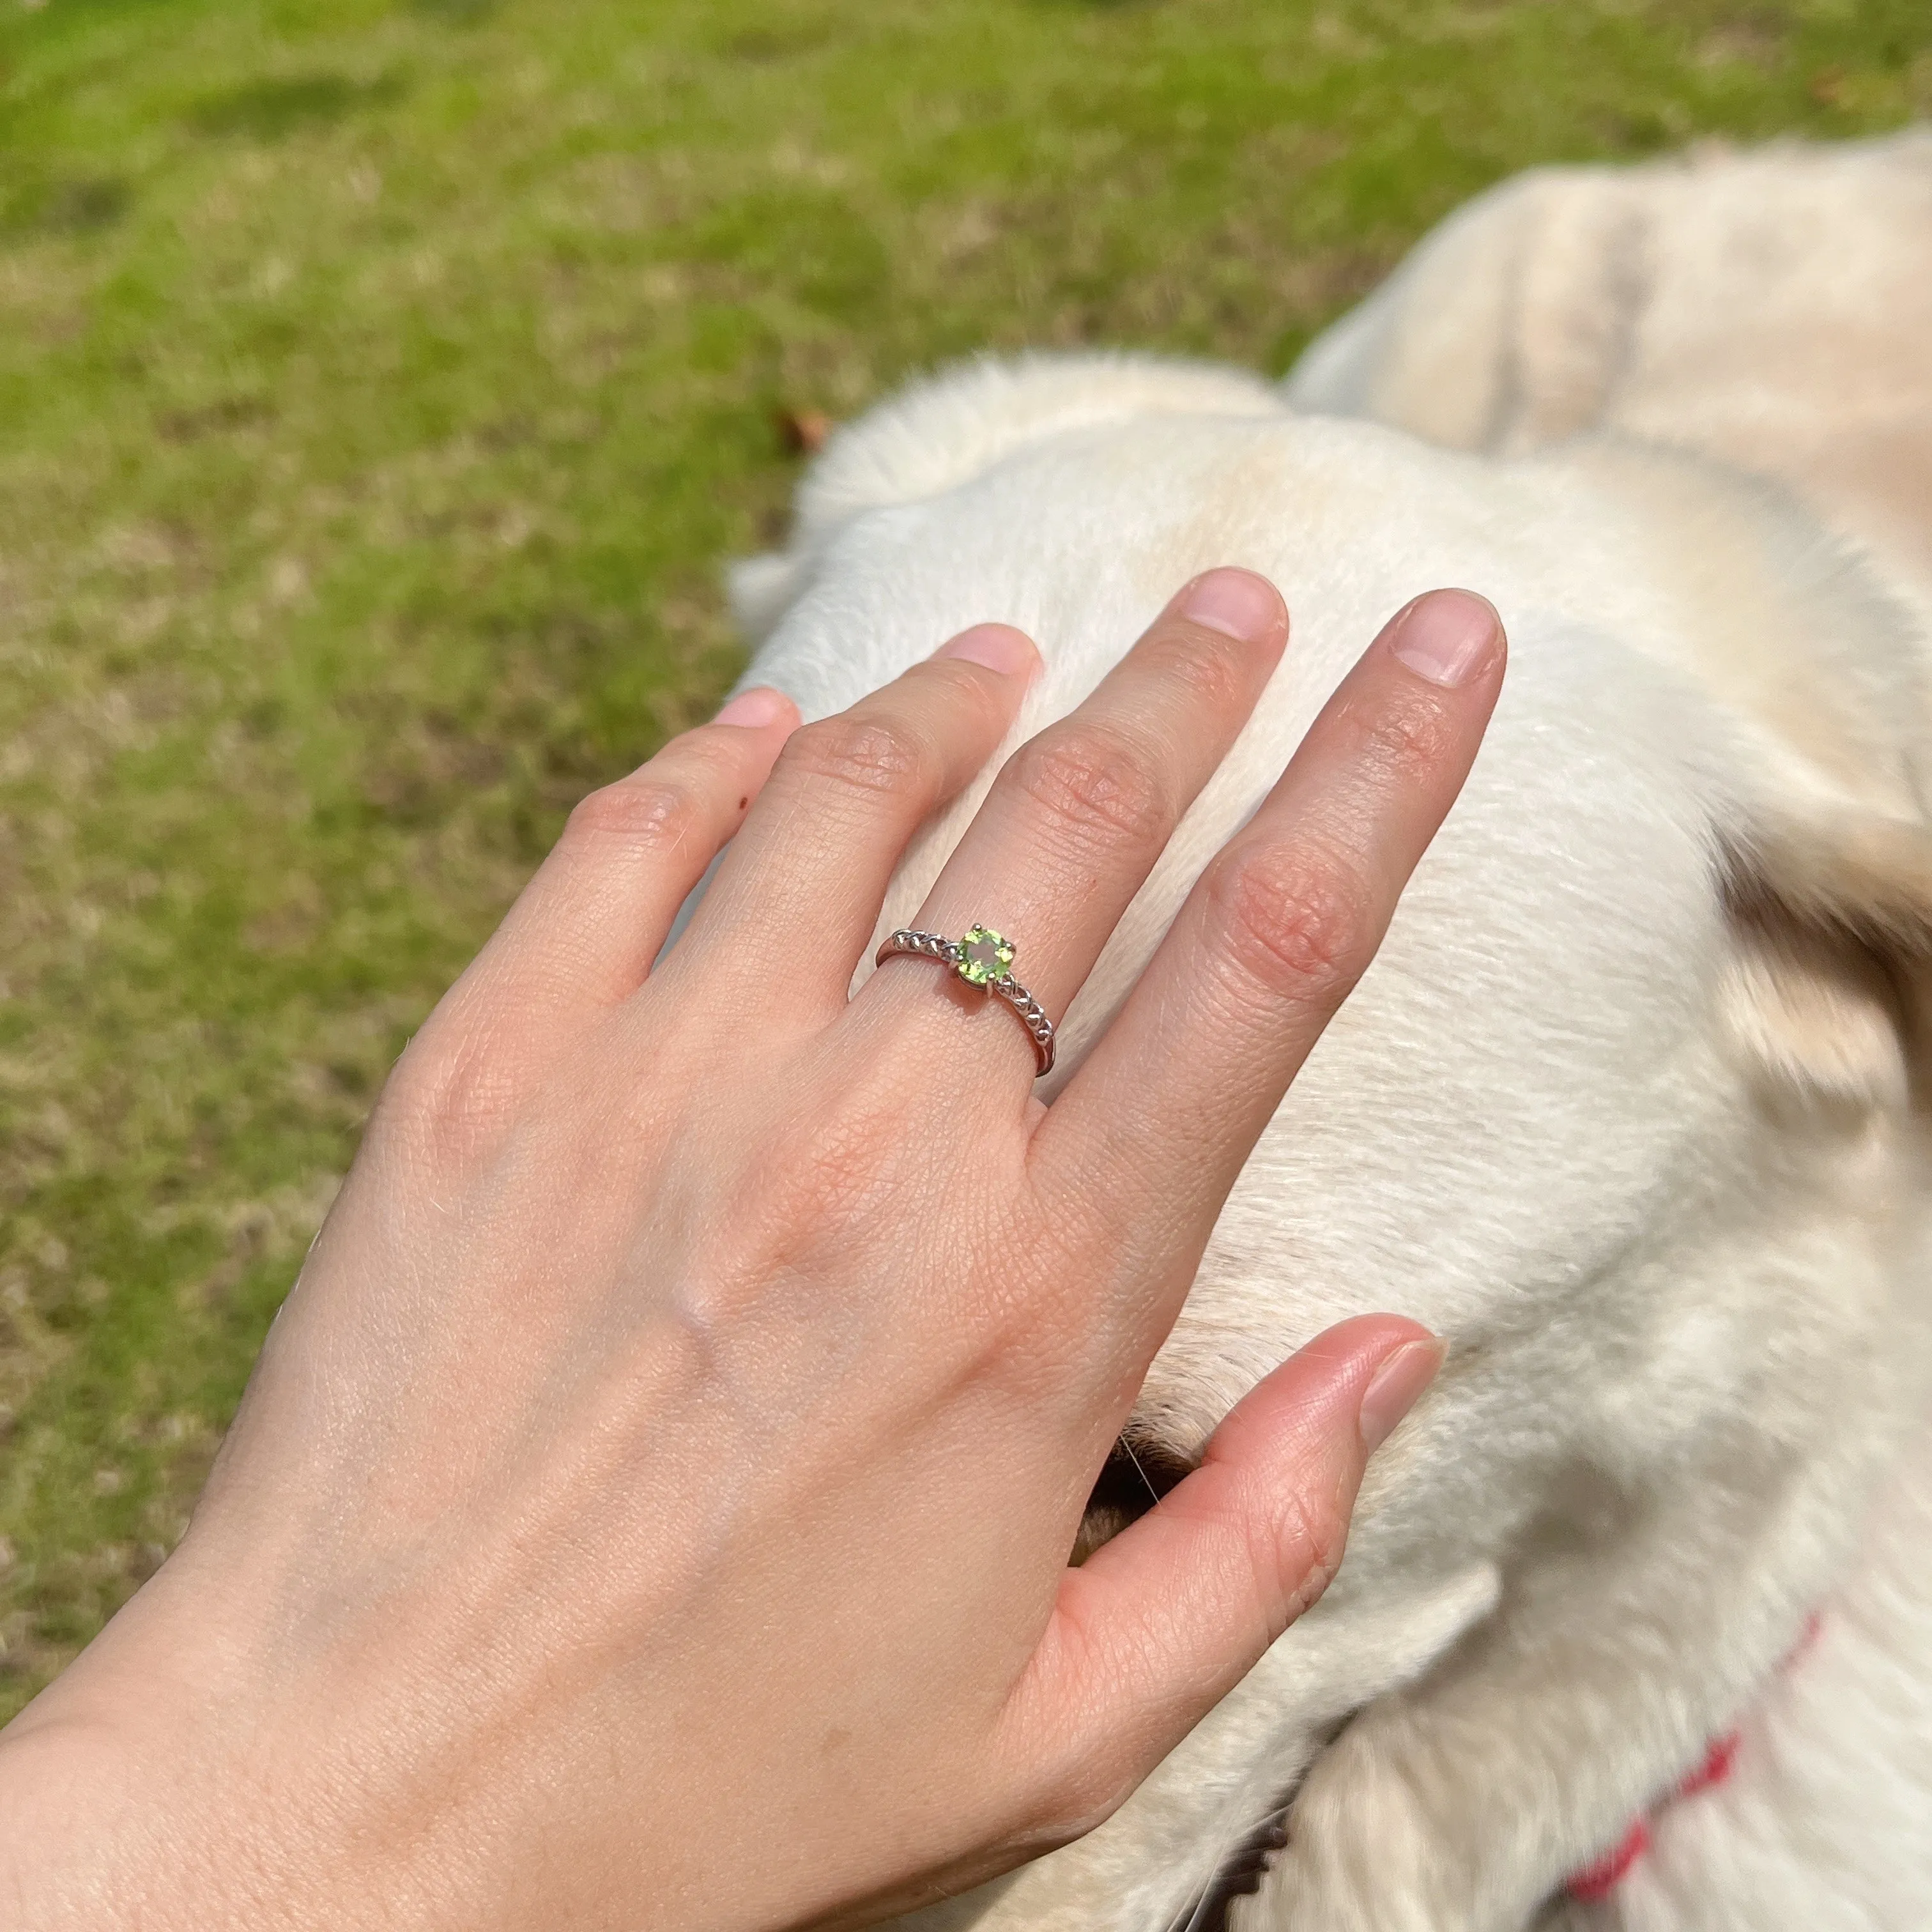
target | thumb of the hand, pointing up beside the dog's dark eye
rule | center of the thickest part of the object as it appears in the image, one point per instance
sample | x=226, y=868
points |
x=1160, y=1624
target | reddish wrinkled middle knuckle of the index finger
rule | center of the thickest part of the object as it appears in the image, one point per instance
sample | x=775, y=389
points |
x=1292, y=919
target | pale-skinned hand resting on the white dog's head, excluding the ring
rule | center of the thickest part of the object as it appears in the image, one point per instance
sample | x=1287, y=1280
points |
x=652, y=1506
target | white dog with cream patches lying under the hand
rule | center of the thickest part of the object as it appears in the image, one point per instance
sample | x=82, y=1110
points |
x=1632, y=1108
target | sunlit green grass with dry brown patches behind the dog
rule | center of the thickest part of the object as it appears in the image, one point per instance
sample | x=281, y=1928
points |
x=380, y=393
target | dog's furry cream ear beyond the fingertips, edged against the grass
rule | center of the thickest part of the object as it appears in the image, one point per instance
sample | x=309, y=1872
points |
x=961, y=424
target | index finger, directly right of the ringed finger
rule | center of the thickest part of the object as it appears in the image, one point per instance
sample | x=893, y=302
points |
x=1166, y=1110
